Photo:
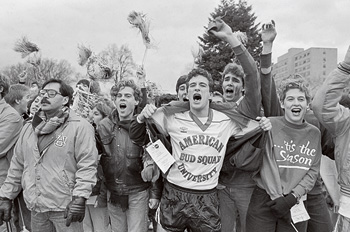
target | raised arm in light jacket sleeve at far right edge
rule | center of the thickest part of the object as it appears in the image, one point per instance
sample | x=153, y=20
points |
x=325, y=105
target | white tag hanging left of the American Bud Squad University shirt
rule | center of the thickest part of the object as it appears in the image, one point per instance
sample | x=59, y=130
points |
x=160, y=155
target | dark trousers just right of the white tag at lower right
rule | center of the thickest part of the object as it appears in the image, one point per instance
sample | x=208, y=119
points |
x=320, y=220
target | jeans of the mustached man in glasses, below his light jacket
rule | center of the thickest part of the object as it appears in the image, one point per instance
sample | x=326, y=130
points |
x=49, y=221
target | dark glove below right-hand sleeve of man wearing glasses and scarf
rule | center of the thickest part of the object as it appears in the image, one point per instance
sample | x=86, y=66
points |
x=75, y=210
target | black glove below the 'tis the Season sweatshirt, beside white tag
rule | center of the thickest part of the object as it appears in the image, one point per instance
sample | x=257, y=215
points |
x=281, y=206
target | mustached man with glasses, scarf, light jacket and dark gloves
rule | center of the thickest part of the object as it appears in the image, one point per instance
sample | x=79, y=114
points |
x=55, y=161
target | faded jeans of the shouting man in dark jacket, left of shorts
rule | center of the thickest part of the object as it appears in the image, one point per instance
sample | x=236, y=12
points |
x=135, y=218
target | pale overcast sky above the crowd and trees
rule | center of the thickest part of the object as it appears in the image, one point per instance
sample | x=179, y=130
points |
x=58, y=26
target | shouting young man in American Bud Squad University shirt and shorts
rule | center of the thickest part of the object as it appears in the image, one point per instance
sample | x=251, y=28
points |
x=199, y=135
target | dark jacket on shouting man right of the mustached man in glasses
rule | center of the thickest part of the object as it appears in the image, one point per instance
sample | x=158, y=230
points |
x=122, y=162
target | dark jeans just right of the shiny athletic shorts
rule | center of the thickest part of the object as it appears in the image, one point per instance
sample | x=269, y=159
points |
x=233, y=200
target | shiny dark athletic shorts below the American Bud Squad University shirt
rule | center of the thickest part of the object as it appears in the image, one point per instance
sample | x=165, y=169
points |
x=195, y=210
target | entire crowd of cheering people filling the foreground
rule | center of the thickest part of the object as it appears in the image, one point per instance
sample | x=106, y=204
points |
x=251, y=158
